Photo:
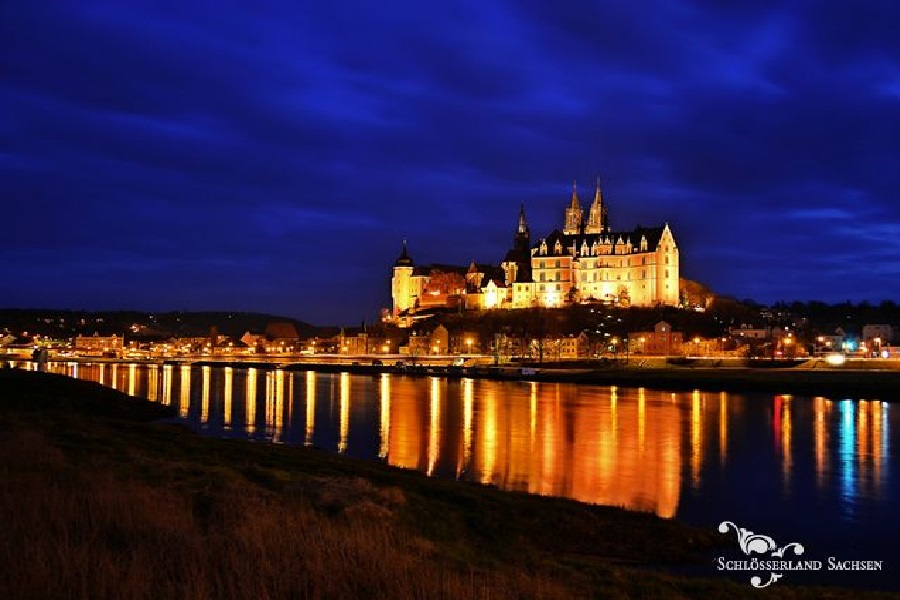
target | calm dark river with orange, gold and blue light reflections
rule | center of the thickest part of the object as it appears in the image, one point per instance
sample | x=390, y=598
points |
x=819, y=471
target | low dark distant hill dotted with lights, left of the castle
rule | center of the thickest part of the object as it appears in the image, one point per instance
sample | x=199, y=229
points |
x=141, y=325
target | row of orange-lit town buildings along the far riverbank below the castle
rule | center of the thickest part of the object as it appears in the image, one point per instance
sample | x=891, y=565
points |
x=660, y=340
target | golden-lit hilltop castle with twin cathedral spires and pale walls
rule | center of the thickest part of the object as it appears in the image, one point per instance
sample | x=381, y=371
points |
x=585, y=262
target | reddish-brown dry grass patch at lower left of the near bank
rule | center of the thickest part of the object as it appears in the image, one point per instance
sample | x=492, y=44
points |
x=75, y=534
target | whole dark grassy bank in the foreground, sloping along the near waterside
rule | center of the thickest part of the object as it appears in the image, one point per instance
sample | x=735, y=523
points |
x=100, y=500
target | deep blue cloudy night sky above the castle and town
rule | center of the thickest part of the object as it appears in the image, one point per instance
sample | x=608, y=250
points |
x=194, y=156
